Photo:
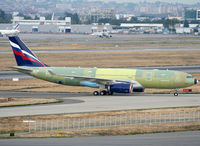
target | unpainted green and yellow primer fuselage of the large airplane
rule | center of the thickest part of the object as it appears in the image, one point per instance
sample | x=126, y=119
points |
x=160, y=79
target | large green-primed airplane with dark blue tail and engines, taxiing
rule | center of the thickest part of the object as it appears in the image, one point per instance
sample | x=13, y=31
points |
x=107, y=80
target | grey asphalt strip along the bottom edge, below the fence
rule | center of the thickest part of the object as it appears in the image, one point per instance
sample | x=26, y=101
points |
x=189, y=138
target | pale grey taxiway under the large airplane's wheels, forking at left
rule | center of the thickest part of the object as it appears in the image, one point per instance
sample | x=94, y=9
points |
x=101, y=103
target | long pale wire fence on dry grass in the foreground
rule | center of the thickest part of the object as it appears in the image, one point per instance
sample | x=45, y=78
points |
x=114, y=121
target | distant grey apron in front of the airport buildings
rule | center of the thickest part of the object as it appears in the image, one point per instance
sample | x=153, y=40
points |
x=88, y=39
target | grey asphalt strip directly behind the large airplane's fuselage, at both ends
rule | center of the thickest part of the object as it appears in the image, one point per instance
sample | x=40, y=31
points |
x=7, y=75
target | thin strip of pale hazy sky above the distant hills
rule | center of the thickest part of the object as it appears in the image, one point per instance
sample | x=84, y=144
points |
x=170, y=1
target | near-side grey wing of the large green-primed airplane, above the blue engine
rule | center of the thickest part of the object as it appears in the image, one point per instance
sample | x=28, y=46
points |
x=101, y=81
